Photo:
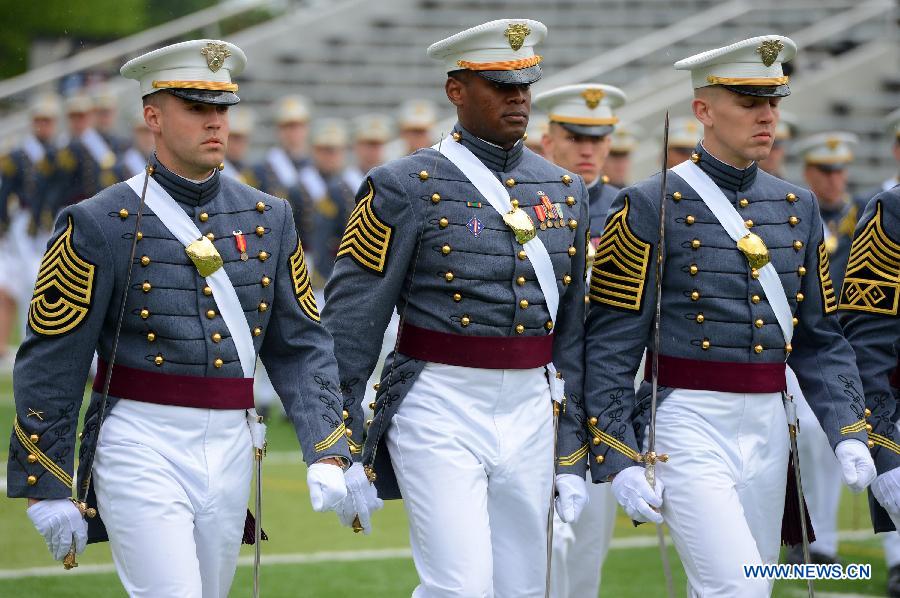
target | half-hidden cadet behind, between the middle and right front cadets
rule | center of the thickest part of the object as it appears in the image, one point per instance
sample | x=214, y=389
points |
x=578, y=139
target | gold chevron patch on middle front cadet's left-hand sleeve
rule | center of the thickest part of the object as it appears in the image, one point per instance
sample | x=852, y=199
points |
x=366, y=238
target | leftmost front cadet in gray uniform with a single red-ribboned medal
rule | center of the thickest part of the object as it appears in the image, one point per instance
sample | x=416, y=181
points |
x=173, y=460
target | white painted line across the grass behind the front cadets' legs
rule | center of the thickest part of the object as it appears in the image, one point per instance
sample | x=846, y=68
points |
x=353, y=556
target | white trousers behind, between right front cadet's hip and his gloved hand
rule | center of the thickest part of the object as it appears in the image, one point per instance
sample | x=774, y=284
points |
x=820, y=472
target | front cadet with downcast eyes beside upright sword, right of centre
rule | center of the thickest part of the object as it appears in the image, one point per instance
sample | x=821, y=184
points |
x=745, y=287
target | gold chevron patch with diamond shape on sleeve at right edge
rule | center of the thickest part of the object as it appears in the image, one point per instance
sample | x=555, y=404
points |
x=873, y=271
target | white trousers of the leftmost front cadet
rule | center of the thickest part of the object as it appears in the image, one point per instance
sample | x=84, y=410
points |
x=172, y=487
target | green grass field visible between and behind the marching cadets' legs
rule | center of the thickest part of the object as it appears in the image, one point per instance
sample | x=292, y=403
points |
x=311, y=555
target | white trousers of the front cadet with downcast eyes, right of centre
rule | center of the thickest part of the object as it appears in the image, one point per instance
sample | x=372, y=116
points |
x=724, y=486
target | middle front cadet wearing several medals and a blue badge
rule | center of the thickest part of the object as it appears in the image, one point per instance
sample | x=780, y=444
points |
x=491, y=329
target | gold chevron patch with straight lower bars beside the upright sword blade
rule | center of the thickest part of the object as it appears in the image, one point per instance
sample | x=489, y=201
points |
x=620, y=266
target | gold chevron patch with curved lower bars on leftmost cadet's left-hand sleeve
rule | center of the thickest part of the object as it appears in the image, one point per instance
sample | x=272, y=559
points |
x=62, y=293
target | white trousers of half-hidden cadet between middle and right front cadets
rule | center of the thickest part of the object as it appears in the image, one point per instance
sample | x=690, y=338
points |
x=580, y=549
